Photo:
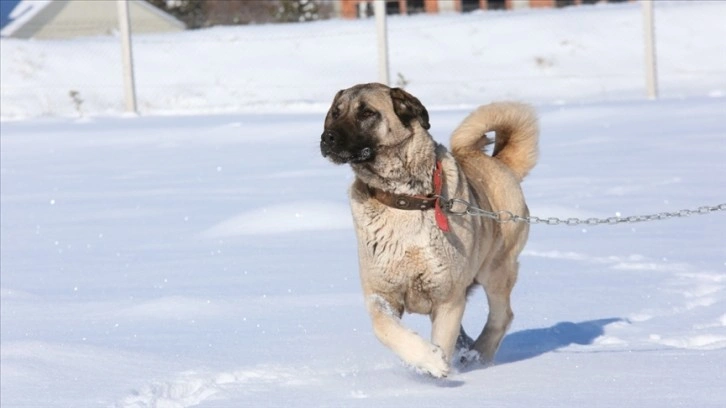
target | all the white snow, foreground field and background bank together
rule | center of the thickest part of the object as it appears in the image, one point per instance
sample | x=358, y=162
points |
x=190, y=259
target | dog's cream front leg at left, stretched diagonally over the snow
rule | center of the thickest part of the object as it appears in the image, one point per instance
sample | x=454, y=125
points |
x=408, y=345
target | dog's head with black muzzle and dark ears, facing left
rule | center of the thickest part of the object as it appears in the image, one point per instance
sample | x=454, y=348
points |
x=367, y=118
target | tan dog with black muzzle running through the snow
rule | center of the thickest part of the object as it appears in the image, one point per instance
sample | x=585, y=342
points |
x=417, y=252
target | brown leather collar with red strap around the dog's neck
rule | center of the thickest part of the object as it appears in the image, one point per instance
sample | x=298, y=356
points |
x=418, y=202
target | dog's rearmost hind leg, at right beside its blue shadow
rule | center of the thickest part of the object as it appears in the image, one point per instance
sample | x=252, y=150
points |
x=498, y=285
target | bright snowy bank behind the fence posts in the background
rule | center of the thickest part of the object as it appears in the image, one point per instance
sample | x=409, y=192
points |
x=451, y=60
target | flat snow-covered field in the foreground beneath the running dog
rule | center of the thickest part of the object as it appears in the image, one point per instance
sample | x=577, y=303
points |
x=165, y=262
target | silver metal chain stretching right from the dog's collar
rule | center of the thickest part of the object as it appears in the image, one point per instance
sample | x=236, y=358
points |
x=504, y=216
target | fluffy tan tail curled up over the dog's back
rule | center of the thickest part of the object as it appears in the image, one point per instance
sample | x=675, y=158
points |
x=516, y=129
